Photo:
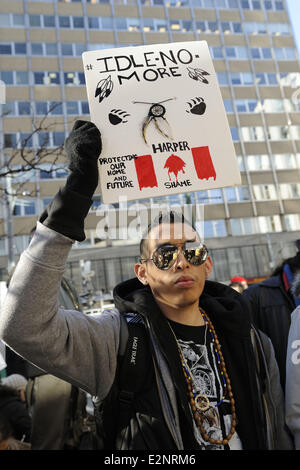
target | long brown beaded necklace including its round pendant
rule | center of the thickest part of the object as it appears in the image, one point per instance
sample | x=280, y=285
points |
x=200, y=402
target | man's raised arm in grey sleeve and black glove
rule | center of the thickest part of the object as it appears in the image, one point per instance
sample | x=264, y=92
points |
x=69, y=344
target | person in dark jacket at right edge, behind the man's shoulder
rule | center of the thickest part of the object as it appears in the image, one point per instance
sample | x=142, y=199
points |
x=272, y=302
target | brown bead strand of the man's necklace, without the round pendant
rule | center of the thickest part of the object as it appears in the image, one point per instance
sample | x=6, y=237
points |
x=197, y=414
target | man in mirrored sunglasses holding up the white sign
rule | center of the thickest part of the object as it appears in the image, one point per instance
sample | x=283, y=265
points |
x=177, y=365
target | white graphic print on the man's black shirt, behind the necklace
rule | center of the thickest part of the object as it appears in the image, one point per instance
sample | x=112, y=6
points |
x=201, y=362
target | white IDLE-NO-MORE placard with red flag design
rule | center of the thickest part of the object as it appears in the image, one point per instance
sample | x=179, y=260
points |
x=163, y=123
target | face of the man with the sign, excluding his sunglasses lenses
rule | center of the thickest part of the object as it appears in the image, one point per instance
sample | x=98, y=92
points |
x=181, y=284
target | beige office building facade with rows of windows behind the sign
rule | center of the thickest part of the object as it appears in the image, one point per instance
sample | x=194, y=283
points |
x=250, y=228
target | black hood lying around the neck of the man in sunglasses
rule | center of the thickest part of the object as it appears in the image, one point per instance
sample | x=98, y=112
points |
x=227, y=308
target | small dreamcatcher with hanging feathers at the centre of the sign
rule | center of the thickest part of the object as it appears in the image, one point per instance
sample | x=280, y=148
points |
x=156, y=114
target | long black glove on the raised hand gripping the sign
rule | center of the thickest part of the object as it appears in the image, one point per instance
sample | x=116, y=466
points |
x=66, y=212
